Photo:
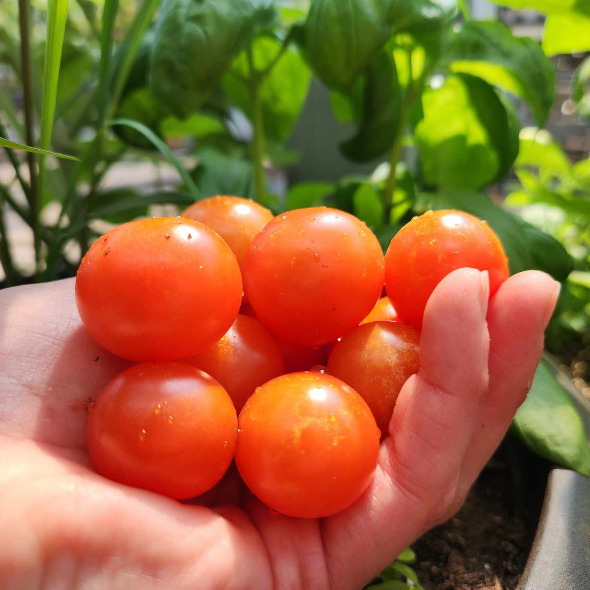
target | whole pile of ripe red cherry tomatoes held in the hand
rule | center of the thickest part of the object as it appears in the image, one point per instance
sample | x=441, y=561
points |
x=309, y=355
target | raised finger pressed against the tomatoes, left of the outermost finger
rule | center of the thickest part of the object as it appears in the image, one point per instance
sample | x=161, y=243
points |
x=431, y=428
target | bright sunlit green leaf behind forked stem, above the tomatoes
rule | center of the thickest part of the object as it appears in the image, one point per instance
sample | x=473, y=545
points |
x=282, y=92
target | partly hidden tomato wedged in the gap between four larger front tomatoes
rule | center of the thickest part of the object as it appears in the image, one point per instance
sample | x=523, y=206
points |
x=247, y=356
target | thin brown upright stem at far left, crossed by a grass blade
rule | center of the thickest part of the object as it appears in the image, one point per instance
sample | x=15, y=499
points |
x=33, y=196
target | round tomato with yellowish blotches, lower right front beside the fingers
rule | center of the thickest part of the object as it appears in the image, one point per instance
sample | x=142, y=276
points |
x=307, y=445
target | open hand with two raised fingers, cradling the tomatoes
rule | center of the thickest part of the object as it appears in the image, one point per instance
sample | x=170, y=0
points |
x=69, y=527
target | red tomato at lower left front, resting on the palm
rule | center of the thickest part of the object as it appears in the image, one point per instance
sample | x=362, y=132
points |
x=165, y=427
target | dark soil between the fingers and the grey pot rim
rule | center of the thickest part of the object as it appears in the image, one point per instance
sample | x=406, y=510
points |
x=486, y=545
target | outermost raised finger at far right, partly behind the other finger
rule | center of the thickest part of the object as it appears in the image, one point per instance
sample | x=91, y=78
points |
x=517, y=318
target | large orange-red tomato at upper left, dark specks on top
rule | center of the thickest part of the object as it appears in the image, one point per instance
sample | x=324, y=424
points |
x=158, y=289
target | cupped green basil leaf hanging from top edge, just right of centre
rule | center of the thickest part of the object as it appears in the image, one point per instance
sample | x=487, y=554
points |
x=341, y=38
